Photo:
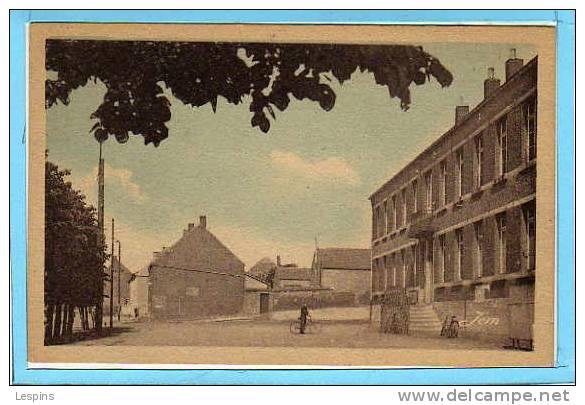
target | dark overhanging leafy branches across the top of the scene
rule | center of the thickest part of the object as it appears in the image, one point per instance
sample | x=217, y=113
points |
x=198, y=73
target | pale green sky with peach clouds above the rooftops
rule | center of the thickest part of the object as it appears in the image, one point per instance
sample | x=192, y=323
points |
x=305, y=182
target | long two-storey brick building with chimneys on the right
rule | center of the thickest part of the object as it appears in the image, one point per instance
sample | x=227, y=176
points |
x=458, y=223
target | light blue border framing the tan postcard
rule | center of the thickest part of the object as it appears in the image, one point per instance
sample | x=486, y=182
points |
x=564, y=372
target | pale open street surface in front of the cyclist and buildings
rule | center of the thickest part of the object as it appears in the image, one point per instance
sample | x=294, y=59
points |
x=271, y=333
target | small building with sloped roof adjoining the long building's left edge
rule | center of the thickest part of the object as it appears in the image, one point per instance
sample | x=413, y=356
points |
x=344, y=269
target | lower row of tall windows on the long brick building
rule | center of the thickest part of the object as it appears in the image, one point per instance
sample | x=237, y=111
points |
x=503, y=243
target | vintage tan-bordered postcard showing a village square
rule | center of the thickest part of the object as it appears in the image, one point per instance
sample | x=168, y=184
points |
x=212, y=196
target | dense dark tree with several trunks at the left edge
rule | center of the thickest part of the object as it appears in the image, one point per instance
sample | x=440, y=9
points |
x=74, y=259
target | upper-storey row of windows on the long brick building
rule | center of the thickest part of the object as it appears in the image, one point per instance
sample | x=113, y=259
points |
x=393, y=213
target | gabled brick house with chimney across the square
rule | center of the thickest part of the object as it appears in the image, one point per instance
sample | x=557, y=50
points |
x=196, y=277
